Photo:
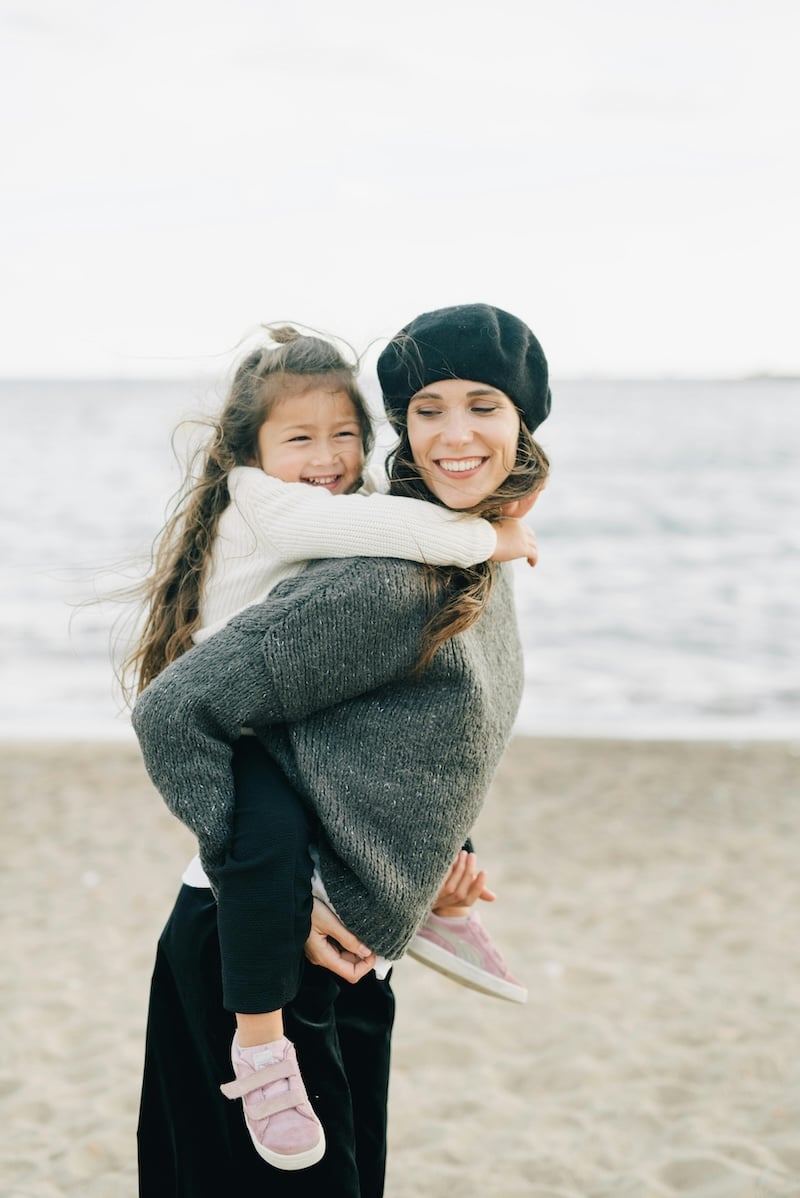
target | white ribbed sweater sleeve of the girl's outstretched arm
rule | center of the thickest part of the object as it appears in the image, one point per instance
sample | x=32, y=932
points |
x=298, y=523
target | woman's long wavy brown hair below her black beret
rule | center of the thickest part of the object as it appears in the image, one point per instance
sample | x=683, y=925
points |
x=460, y=595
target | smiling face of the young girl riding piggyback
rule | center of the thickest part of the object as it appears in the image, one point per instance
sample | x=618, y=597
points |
x=313, y=438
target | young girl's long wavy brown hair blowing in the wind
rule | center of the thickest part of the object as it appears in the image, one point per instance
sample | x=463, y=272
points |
x=171, y=595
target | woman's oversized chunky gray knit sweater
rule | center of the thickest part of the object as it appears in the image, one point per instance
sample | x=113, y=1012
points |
x=397, y=769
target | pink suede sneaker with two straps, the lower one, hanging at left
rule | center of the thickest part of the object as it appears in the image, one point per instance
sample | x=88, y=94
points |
x=284, y=1130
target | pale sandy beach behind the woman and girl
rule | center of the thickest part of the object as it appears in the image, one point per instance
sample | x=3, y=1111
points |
x=649, y=897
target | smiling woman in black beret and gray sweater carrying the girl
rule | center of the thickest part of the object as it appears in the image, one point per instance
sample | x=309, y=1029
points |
x=386, y=693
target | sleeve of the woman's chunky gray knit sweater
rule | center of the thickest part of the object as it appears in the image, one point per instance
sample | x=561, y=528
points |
x=322, y=639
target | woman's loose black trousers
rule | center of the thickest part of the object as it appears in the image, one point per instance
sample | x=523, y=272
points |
x=192, y=1141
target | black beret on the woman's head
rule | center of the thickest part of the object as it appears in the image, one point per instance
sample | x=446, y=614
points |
x=472, y=341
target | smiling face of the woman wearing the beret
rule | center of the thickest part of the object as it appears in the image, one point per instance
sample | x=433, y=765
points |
x=464, y=437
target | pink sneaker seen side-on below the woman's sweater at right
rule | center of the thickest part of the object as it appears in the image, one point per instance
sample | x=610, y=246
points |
x=462, y=949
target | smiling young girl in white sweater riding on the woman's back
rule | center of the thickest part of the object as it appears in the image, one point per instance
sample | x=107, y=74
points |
x=295, y=433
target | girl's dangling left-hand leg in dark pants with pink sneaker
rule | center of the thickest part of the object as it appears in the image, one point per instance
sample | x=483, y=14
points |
x=265, y=904
